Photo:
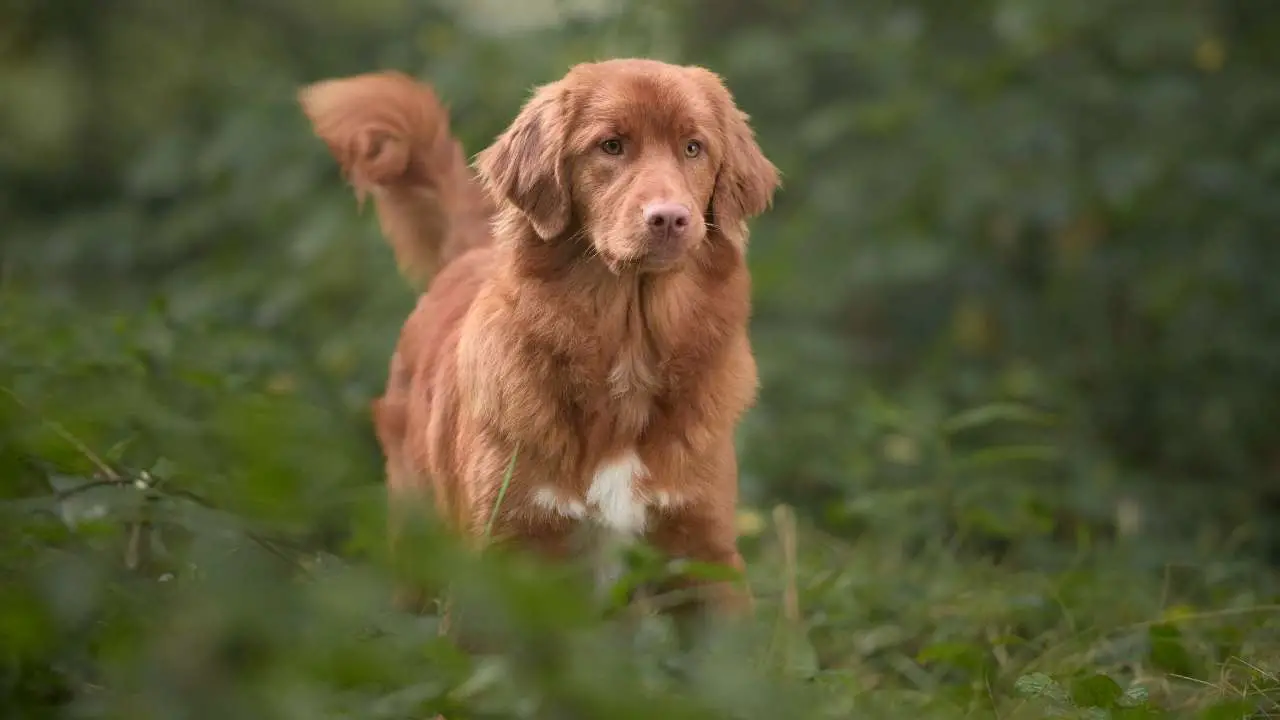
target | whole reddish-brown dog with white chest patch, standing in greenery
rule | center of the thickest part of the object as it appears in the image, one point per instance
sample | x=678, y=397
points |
x=588, y=313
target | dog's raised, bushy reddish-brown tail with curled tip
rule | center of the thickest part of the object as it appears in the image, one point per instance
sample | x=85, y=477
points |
x=391, y=136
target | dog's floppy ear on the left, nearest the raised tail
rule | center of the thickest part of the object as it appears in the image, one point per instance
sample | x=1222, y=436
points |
x=527, y=165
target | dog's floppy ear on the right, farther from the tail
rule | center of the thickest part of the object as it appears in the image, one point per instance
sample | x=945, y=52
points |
x=747, y=180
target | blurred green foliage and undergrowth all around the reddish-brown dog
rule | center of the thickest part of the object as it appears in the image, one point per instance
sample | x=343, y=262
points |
x=1016, y=313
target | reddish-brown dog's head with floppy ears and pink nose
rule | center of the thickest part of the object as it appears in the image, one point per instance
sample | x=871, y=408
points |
x=639, y=158
